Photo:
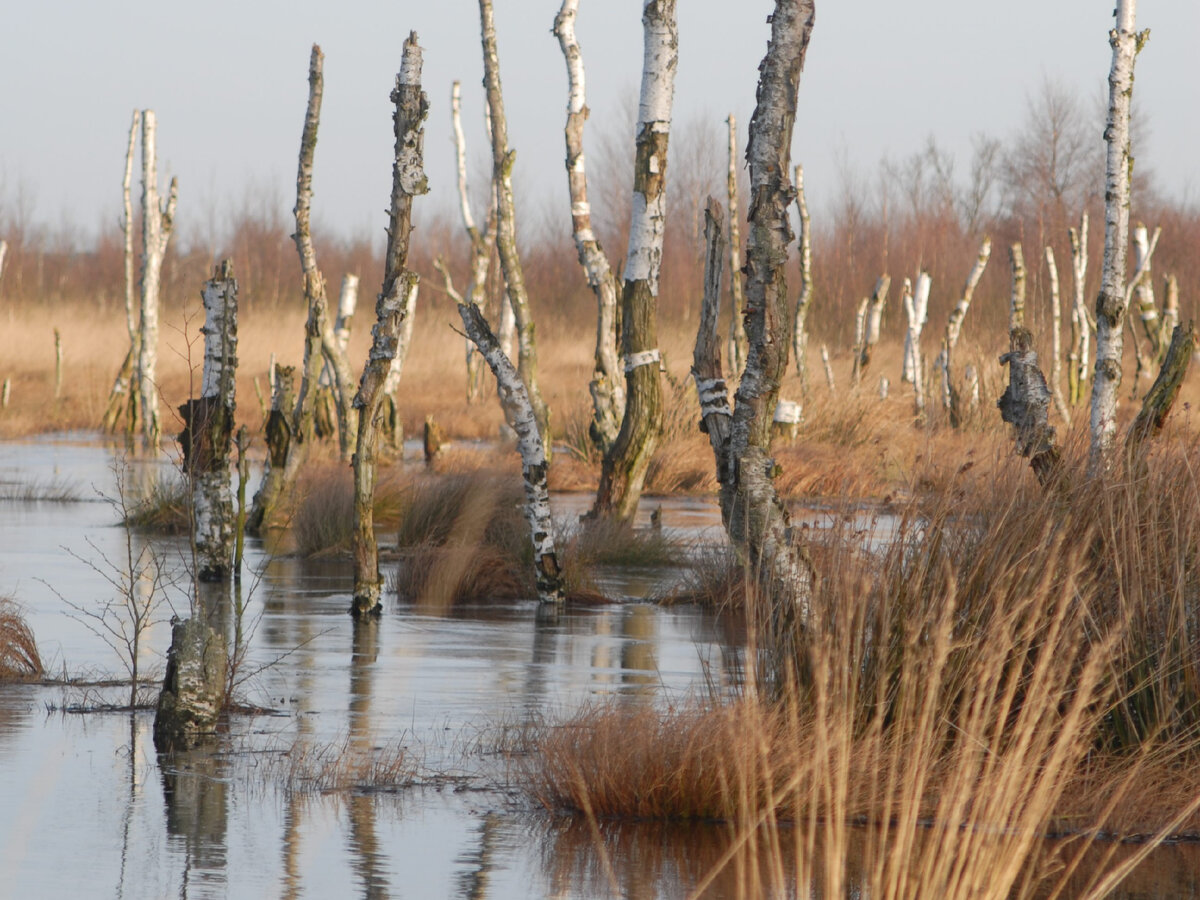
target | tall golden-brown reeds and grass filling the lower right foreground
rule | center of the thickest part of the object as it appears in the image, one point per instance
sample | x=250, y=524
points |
x=951, y=697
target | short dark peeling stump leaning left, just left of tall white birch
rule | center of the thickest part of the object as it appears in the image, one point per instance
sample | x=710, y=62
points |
x=1025, y=405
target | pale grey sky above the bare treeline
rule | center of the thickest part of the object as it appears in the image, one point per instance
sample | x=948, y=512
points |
x=229, y=83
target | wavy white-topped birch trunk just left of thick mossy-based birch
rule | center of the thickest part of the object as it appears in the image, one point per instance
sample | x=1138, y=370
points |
x=608, y=386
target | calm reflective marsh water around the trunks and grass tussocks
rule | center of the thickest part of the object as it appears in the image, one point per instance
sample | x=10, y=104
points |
x=88, y=809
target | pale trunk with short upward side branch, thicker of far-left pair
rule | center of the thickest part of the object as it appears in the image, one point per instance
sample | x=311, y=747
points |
x=157, y=227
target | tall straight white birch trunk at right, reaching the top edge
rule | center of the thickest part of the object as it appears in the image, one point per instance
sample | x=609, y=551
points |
x=1111, y=304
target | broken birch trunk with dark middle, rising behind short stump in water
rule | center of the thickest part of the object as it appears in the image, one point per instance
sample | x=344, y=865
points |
x=208, y=430
